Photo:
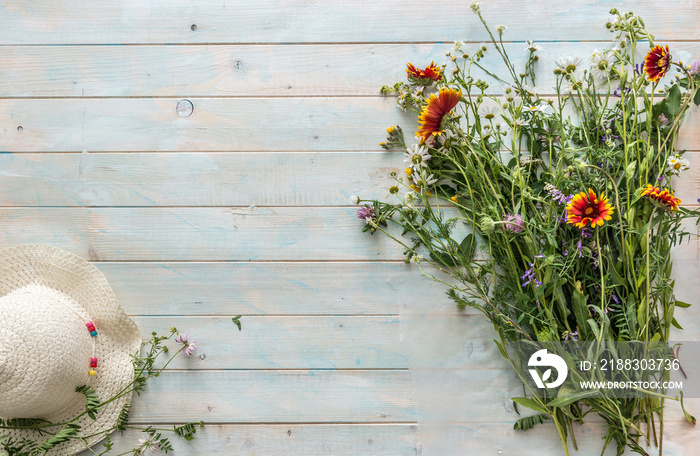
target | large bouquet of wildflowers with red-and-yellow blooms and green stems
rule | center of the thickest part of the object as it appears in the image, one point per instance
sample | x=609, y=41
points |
x=553, y=216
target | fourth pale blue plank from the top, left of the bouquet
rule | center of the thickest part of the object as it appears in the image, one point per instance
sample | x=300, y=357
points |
x=195, y=179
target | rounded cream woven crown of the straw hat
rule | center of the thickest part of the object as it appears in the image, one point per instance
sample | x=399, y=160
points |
x=45, y=351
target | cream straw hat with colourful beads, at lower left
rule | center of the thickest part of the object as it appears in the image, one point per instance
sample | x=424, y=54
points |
x=49, y=298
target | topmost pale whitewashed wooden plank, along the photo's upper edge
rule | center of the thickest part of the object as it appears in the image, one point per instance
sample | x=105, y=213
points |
x=325, y=21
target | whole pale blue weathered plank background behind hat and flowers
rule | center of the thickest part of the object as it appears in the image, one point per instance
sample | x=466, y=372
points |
x=243, y=207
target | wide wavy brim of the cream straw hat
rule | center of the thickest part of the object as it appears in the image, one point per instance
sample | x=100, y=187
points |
x=118, y=338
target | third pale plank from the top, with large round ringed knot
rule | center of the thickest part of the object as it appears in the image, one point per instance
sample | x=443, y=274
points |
x=217, y=124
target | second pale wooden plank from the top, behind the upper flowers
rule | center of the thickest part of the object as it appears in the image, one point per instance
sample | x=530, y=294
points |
x=259, y=70
